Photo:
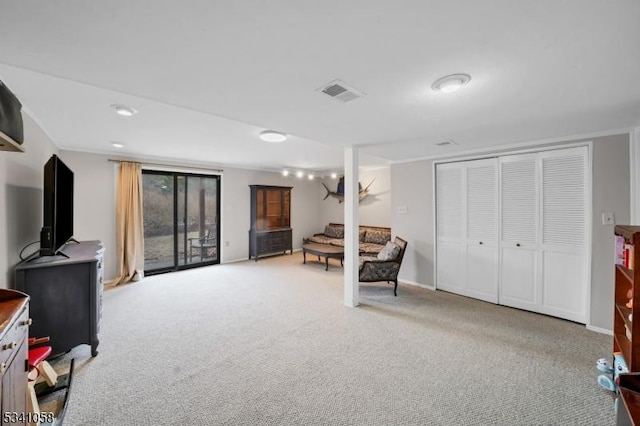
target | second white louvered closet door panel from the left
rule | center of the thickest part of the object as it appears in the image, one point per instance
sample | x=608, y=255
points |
x=482, y=229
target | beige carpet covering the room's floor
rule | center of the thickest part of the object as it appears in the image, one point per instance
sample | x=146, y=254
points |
x=271, y=343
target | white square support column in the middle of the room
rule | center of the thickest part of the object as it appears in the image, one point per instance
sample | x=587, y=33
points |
x=351, y=224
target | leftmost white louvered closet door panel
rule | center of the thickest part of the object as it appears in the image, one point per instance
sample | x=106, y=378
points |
x=450, y=268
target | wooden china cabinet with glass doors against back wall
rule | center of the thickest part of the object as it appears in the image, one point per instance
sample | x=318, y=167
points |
x=270, y=231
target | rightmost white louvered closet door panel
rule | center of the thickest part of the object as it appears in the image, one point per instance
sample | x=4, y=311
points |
x=564, y=219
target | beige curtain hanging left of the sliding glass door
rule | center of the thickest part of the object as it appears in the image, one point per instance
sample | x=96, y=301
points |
x=129, y=224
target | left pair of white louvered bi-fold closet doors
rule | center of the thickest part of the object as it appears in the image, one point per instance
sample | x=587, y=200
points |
x=467, y=228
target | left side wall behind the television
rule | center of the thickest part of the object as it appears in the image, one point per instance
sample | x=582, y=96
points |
x=21, y=194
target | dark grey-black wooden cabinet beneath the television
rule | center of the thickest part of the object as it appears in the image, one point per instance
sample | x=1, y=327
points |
x=66, y=295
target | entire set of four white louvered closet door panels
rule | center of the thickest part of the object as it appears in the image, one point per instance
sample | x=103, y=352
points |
x=513, y=230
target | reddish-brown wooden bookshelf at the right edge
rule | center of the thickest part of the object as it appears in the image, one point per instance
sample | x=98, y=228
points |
x=626, y=330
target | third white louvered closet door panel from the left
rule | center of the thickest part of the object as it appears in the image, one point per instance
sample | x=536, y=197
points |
x=518, y=283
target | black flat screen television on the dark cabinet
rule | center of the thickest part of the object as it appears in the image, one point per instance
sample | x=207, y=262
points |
x=57, y=220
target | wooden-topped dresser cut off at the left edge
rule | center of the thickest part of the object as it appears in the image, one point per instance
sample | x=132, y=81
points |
x=14, y=332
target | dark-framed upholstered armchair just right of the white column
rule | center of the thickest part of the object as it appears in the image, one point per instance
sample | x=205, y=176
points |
x=385, y=266
